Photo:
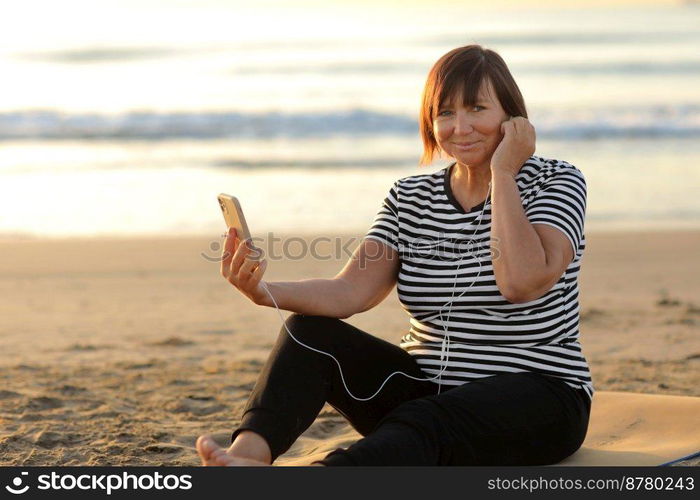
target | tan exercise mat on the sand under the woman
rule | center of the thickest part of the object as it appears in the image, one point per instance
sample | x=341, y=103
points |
x=625, y=429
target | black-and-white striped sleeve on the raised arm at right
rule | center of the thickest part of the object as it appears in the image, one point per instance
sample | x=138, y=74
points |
x=561, y=203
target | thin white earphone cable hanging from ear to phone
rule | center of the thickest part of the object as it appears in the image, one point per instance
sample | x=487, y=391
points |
x=445, y=341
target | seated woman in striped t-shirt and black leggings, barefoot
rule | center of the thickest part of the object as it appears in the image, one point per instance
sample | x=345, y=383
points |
x=486, y=253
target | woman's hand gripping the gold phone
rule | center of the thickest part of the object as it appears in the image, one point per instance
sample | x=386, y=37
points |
x=241, y=267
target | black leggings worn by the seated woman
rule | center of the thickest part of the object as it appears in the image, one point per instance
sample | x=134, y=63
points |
x=518, y=418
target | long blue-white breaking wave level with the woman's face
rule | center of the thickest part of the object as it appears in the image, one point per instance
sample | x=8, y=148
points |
x=583, y=124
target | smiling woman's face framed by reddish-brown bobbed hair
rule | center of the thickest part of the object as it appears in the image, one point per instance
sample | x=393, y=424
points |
x=470, y=135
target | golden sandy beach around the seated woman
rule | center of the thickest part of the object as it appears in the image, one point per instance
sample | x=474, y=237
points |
x=123, y=351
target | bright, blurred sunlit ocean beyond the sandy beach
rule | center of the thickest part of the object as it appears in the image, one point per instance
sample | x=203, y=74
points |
x=121, y=118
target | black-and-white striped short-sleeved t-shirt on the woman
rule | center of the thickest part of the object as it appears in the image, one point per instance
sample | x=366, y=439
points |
x=437, y=240
